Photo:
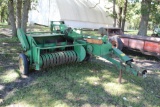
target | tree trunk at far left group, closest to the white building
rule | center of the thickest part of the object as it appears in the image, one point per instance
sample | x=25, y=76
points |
x=26, y=6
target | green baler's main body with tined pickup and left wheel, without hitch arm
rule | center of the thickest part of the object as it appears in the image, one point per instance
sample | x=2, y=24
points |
x=45, y=49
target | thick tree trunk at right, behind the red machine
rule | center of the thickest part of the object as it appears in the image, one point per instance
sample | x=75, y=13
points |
x=145, y=10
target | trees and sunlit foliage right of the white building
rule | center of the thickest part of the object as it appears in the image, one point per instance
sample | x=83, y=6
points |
x=136, y=12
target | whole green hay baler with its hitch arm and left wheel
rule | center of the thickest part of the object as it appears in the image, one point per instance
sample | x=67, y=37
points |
x=67, y=45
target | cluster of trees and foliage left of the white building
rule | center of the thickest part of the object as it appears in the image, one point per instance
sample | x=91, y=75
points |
x=15, y=12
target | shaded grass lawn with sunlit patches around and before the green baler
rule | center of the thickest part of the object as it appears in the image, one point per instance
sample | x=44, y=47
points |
x=86, y=84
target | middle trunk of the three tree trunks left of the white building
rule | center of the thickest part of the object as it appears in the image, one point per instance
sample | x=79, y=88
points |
x=19, y=13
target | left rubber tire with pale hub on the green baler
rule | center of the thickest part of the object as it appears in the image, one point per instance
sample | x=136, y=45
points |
x=25, y=69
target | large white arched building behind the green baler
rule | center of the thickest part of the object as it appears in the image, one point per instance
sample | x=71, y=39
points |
x=75, y=13
